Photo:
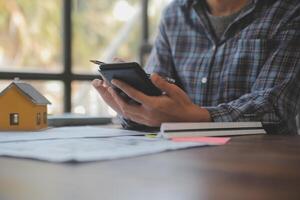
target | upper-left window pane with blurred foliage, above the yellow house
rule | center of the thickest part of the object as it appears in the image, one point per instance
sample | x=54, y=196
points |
x=30, y=35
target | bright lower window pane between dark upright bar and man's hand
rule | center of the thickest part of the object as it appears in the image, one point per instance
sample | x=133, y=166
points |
x=86, y=100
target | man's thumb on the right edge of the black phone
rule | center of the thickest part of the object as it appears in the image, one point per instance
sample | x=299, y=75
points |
x=163, y=85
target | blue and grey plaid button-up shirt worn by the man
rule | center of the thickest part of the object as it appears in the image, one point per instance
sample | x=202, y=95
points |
x=251, y=73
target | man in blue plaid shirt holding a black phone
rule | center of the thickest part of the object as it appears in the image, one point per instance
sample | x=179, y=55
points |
x=233, y=60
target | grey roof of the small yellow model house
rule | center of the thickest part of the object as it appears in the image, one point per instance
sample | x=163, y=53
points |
x=29, y=91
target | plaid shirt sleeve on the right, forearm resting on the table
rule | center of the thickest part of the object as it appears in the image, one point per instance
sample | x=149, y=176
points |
x=274, y=98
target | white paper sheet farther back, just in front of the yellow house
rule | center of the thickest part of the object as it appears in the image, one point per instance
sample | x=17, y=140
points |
x=66, y=132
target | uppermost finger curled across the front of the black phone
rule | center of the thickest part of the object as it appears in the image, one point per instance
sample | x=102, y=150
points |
x=131, y=92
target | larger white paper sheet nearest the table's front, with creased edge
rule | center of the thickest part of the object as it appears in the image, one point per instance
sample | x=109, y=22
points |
x=90, y=149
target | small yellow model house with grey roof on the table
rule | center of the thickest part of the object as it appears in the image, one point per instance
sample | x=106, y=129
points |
x=22, y=108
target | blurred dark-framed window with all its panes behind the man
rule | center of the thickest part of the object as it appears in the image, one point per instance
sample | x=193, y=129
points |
x=49, y=43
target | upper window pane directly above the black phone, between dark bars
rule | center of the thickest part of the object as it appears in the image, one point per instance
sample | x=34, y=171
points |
x=103, y=30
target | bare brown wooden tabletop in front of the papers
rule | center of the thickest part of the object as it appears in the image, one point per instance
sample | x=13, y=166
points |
x=249, y=167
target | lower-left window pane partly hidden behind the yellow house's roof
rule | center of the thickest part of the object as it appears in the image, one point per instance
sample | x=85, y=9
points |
x=52, y=90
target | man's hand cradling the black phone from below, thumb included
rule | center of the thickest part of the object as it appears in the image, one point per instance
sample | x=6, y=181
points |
x=173, y=106
